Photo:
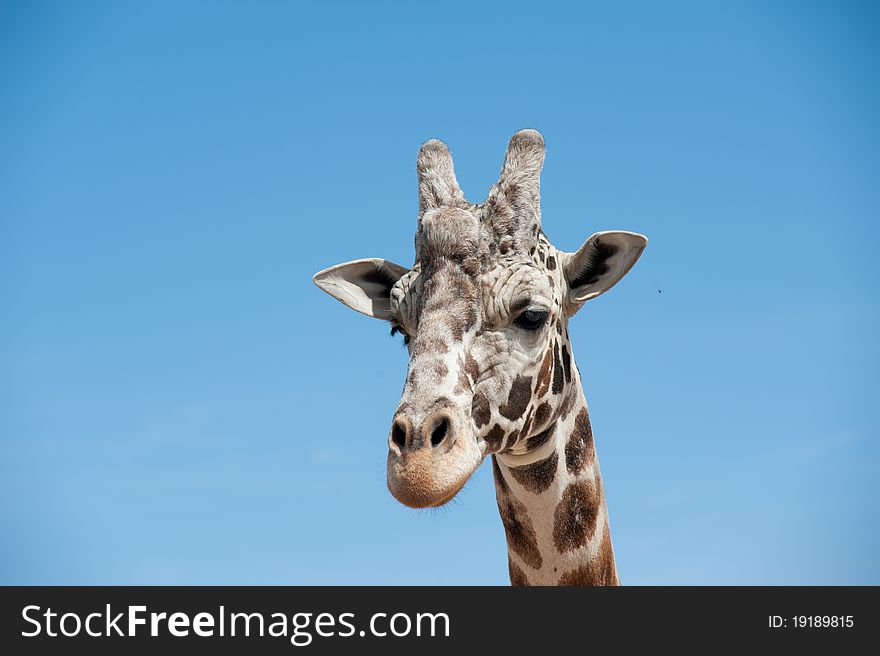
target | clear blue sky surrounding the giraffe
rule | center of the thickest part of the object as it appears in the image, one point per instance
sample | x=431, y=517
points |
x=179, y=404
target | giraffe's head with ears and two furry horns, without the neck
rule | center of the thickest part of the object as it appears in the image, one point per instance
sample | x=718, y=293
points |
x=484, y=313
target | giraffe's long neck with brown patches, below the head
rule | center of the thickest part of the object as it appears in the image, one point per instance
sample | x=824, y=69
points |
x=552, y=504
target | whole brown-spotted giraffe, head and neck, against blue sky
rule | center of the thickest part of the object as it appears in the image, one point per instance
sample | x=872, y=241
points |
x=484, y=314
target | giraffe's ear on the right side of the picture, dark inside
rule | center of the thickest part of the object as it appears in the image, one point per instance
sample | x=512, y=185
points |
x=599, y=264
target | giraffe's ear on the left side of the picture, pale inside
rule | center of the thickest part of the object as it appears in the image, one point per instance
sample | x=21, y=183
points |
x=362, y=285
